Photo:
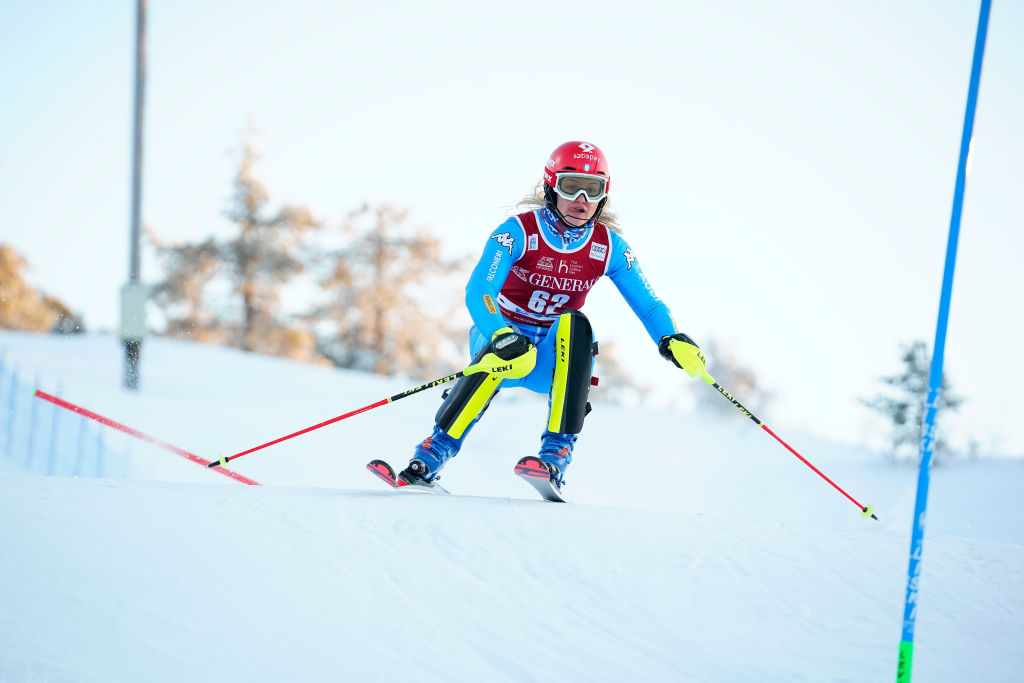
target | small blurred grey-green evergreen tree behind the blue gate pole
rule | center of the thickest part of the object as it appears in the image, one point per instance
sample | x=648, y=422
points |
x=904, y=405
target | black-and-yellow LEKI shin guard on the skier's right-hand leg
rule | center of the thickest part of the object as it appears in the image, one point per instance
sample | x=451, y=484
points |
x=574, y=363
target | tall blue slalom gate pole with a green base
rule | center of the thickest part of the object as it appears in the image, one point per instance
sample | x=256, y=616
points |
x=935, y=373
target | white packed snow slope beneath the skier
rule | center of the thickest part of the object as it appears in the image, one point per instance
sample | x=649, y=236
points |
x=696, y=549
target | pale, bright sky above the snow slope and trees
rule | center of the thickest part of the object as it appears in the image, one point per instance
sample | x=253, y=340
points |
x=784, y=172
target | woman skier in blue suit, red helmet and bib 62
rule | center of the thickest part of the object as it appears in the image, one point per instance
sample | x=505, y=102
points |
x=526, y=296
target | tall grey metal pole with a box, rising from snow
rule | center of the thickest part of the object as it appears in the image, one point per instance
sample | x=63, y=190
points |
x=134, y=294
